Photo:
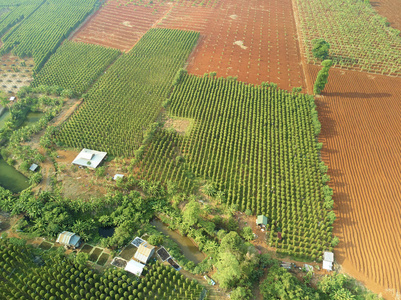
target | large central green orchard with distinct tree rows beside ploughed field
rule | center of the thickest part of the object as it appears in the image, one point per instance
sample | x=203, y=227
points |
x=256, y=147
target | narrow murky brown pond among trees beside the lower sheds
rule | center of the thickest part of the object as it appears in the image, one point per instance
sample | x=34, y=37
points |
x=186, y=245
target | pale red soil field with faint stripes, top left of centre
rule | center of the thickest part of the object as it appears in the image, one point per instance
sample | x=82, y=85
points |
x=118, y=25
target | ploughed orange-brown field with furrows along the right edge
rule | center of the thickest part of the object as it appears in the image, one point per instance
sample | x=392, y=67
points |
x=361, y=135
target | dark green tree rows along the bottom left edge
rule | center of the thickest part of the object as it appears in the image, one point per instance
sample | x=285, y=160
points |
x=56, y=277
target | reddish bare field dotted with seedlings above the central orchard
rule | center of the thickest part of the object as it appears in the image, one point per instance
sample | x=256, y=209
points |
x=256, y=41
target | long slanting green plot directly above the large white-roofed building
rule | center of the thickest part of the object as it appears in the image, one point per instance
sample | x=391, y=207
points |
x=125, y=100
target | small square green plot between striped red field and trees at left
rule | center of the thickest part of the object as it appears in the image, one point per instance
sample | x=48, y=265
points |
x=75, y=66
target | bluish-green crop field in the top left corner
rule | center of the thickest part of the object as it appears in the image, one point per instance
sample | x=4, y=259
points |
x=40, y=34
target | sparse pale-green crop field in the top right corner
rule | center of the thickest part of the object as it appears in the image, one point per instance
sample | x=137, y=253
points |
x=366, y=43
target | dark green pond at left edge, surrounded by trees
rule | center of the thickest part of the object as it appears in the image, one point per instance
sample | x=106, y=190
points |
x=11, y=179
